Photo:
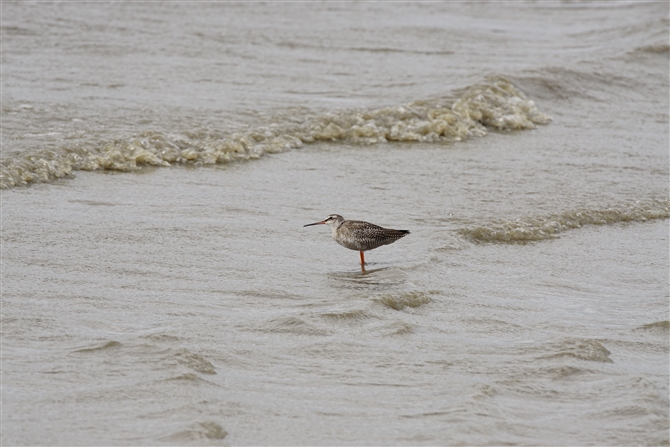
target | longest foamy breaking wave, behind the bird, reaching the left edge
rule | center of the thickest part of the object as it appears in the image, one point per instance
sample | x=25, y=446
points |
x=492, y=104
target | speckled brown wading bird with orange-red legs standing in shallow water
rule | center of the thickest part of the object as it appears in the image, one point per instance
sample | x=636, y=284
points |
x=358, y=235
